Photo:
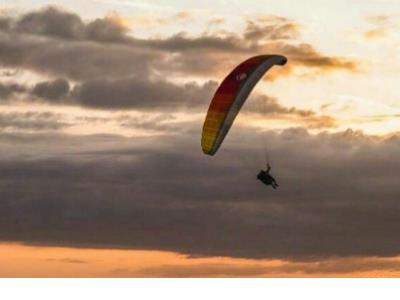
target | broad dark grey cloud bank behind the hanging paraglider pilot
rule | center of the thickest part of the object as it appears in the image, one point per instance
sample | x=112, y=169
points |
x=338, y=195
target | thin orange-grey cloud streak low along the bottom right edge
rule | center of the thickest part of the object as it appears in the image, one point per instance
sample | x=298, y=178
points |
x=324, y=268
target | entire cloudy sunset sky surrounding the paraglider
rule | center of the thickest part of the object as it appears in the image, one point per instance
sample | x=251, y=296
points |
x=101, y=109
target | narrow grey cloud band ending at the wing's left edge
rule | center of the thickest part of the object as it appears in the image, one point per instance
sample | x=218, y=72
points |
x=134, y=93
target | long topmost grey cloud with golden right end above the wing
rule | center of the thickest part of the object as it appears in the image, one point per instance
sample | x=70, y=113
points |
x=60, y=43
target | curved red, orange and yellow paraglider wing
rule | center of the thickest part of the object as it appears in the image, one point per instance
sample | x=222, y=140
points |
x=230, y=97
